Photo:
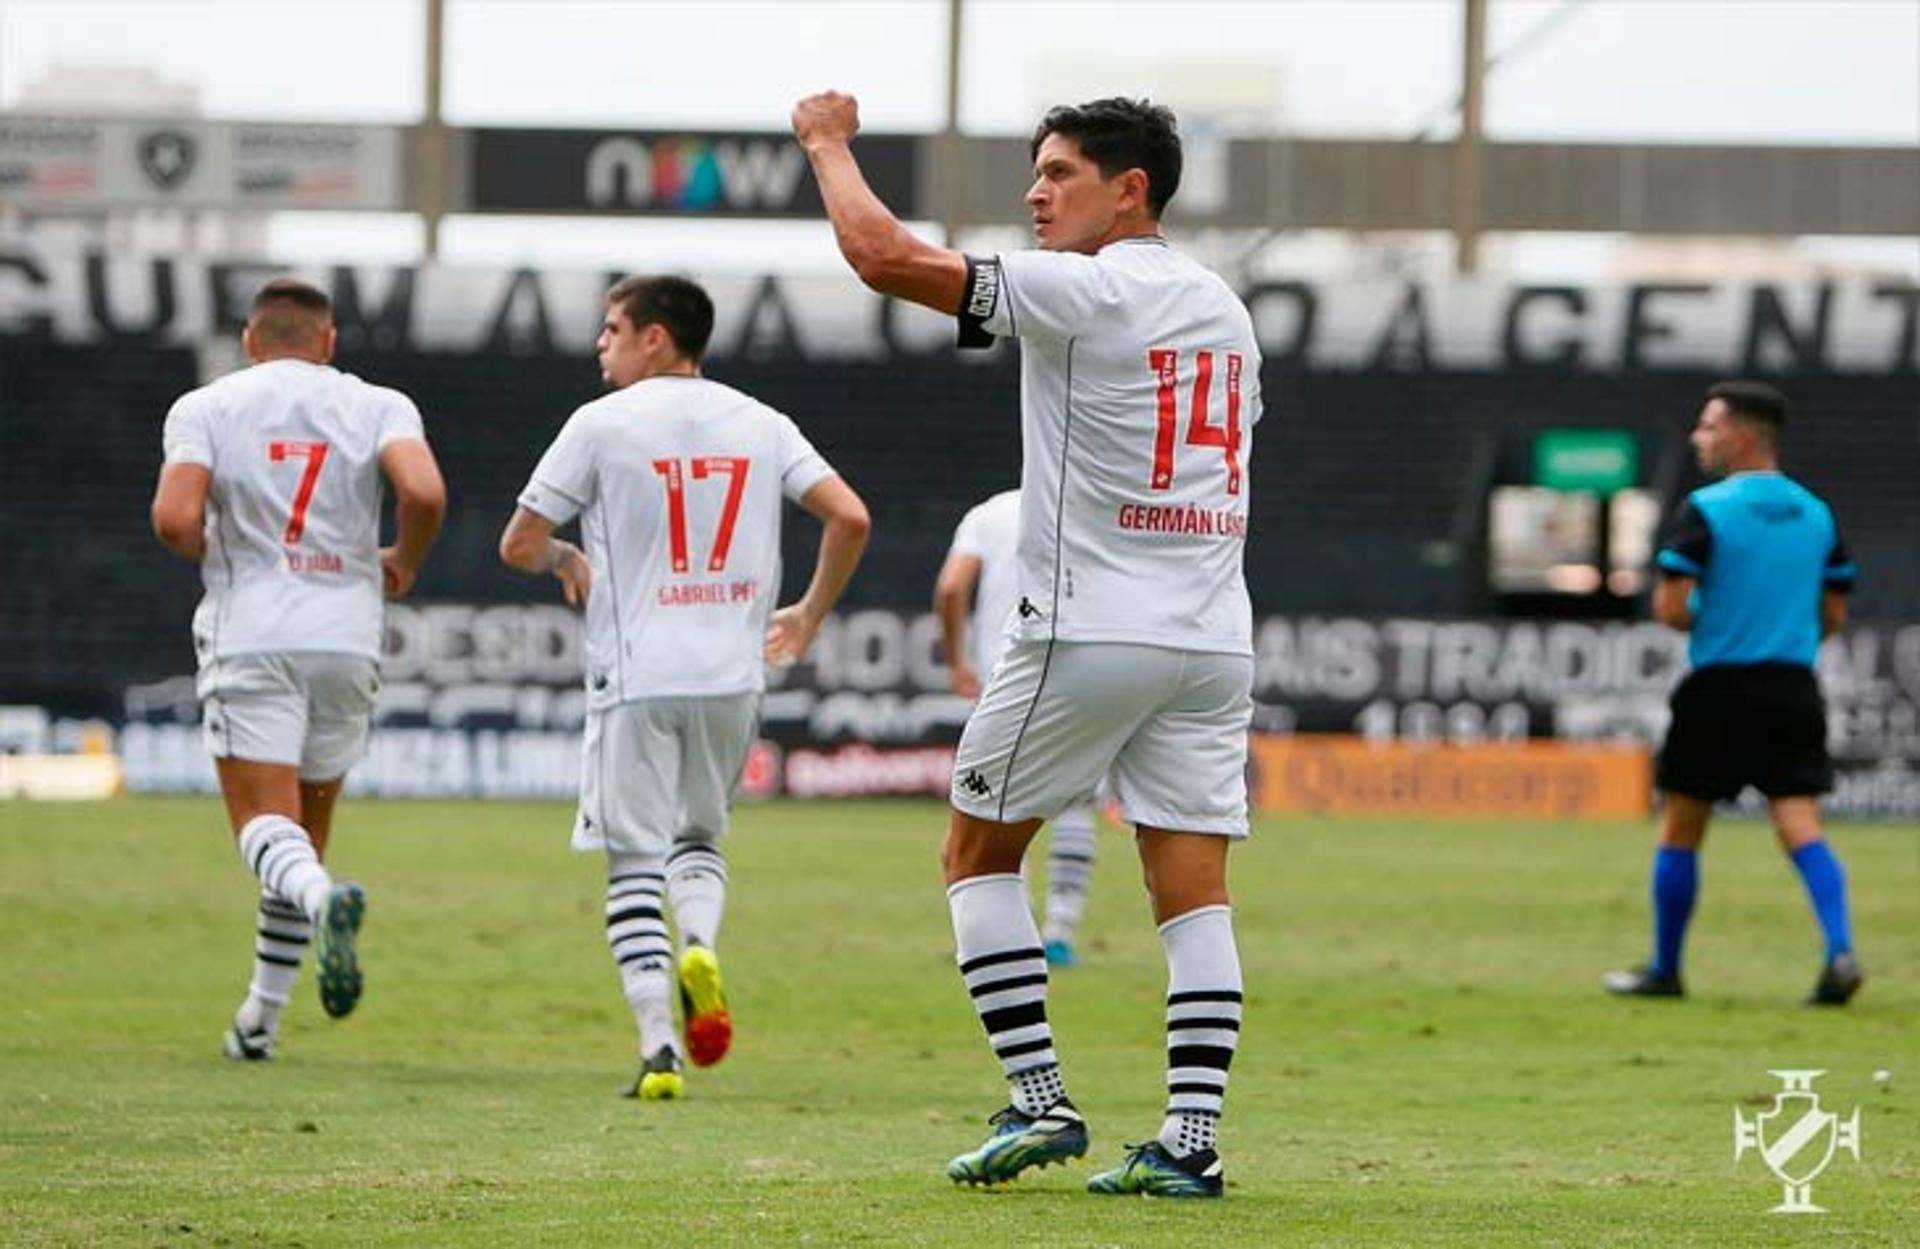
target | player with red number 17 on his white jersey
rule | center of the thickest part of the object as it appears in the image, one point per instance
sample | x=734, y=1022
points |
x=679, y=486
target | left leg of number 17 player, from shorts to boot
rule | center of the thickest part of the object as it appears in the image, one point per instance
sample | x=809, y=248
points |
x=629, y=809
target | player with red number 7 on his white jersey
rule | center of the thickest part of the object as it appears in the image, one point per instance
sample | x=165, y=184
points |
x=272, y=484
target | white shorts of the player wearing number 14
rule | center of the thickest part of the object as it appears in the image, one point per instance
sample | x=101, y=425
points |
x=1166, y=728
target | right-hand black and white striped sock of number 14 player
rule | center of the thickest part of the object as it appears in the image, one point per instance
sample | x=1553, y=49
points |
x=1203, y=1025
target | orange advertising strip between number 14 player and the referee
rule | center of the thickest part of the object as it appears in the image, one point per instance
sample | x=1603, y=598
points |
x=1351, y=776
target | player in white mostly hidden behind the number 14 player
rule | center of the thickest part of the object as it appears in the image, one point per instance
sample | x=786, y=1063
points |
x=982, y=559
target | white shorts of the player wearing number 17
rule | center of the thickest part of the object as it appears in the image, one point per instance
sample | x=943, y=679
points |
x=658, y=770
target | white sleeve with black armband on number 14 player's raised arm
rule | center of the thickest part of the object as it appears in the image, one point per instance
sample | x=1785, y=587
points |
x=1036, y=295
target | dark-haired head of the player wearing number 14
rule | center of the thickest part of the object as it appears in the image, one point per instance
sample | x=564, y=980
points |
x=1103, y=172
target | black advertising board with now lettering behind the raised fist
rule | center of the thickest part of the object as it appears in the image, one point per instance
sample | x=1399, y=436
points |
x=673, y=174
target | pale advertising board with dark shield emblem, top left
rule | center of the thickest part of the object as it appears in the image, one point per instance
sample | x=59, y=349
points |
x=74, y=164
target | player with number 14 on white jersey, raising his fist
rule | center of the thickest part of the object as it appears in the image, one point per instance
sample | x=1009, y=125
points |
x=1134, y=640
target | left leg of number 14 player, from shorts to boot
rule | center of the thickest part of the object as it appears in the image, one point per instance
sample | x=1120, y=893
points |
x=1042, y=736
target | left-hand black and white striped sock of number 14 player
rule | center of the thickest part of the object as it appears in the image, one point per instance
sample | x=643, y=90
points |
x=999, y=954
